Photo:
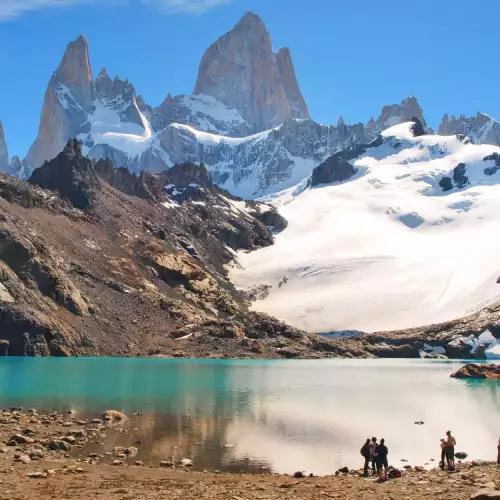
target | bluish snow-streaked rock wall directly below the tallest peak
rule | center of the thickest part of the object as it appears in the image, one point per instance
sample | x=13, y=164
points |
x=258, y=164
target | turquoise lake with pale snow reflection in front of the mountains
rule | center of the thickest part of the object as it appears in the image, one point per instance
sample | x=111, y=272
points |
x=278, y=416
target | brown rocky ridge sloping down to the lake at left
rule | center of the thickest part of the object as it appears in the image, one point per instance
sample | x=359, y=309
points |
x=95, y=260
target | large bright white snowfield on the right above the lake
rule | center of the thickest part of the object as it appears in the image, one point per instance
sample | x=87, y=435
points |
x=390, y=248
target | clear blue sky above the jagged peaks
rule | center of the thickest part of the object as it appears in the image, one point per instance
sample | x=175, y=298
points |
x=351, y=57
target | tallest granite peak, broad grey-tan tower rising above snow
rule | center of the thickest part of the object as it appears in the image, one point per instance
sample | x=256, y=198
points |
x=241, y=71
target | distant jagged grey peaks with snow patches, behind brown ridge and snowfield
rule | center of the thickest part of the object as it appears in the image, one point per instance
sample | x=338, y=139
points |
x=246, y=119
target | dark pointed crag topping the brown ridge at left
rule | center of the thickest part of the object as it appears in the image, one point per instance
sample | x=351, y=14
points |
x=71, y=174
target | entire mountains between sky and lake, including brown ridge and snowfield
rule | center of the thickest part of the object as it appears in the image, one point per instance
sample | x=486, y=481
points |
x=347, y=229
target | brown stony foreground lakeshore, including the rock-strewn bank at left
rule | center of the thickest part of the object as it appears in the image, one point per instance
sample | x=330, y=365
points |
x=50, y=453
